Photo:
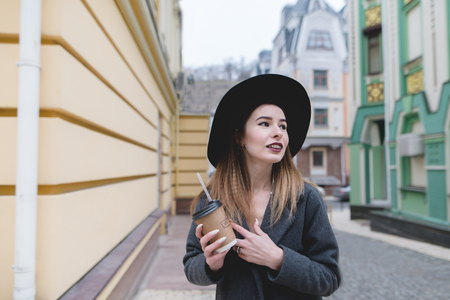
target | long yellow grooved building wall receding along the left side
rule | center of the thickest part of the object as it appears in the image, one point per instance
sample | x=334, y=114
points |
x=100, y=108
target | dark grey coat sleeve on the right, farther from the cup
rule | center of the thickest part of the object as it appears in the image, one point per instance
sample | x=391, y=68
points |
x=315, y=271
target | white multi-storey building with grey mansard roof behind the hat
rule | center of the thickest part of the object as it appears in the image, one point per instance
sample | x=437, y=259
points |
x=311, y=47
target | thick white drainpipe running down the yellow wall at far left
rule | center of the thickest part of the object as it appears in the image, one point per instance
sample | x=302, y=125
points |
x=27, y=150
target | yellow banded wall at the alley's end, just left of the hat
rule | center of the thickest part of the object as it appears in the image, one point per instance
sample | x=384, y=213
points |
x=193, y=141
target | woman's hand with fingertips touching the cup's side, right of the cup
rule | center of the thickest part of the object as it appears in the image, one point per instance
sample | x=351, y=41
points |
x=258, y=248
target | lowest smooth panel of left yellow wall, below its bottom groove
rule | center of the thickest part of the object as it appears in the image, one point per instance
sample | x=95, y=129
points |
x=76, y=230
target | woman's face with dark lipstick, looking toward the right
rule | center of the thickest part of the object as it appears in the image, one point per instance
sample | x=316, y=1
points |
x=265, y=135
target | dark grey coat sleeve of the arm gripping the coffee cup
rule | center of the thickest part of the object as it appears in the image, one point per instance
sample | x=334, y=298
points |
x=195, y=267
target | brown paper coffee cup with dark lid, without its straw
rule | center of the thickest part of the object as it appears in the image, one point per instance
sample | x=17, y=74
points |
x=213, y=217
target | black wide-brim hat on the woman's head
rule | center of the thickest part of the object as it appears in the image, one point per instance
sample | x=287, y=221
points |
x=246, y=96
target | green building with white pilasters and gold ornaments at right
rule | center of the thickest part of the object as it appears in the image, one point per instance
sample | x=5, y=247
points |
x=399, y=82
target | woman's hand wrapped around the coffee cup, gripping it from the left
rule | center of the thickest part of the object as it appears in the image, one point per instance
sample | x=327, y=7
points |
x=213, y=259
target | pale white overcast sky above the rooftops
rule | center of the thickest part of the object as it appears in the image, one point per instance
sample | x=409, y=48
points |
x=215, y=31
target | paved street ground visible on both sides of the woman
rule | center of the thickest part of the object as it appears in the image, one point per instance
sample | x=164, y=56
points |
x=371, y=268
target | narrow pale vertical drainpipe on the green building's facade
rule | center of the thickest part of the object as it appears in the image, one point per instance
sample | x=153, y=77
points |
x=386, y=87
